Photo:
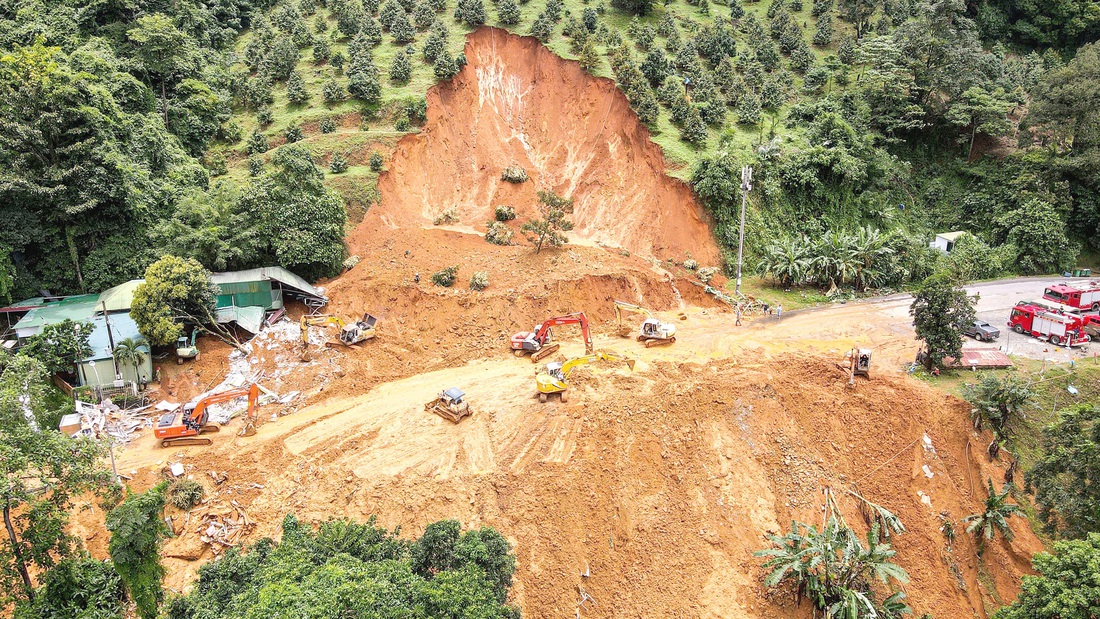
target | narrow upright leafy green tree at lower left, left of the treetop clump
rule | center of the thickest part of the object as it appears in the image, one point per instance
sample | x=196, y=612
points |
x=138, y=530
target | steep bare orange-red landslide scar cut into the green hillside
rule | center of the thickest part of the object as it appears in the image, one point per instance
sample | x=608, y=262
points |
x=519, y=104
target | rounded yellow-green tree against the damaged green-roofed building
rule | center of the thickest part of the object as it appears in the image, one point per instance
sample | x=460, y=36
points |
x=177, y=290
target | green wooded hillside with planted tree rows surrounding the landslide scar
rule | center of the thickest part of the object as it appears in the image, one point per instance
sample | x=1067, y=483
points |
x=134, y=130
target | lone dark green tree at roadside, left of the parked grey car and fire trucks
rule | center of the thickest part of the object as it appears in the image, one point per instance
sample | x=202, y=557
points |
x=941, y=312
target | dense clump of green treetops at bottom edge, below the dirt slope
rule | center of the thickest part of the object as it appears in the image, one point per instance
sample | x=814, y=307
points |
x=348, y=569
